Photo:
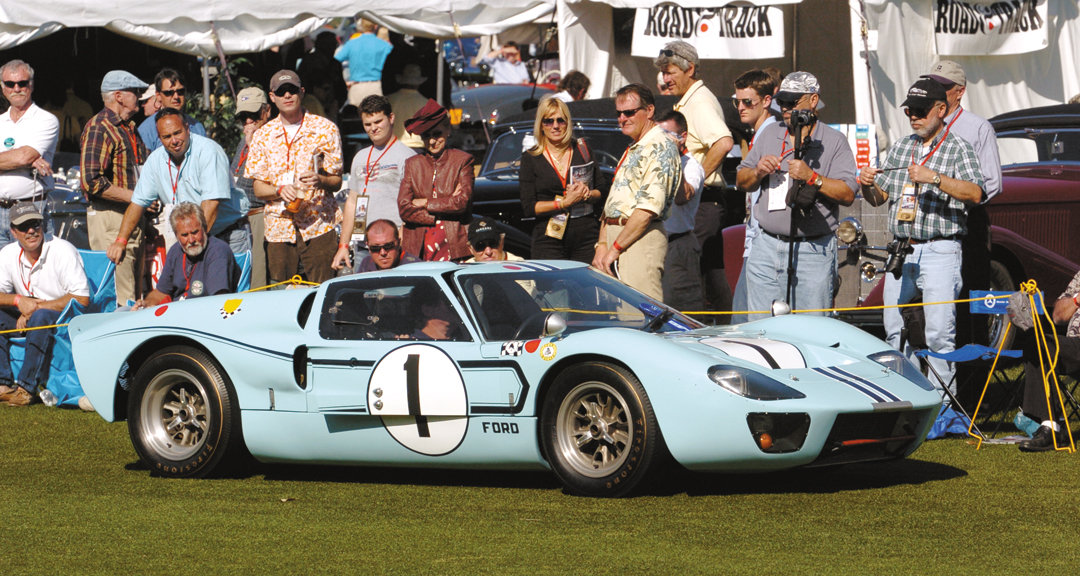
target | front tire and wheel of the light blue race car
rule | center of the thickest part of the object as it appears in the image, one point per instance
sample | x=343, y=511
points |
x=611, y=453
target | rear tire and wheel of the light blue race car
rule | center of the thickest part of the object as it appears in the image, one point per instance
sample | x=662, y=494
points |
x=183, y=416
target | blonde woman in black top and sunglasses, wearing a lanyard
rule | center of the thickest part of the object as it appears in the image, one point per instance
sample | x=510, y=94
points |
x=560, y=183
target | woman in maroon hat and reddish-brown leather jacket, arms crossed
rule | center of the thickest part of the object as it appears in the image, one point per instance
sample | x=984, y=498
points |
x=436, y=197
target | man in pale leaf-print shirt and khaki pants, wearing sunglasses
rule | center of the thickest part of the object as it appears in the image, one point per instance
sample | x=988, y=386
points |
x=643, y=192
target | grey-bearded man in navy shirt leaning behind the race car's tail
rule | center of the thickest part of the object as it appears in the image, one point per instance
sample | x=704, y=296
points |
x=197, y=265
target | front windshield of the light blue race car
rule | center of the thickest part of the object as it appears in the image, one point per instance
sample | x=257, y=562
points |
x=508, y=304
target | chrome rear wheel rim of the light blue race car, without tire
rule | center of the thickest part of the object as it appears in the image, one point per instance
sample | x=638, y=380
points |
x=178, y=418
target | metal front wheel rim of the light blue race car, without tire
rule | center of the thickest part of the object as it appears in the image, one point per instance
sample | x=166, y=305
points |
x=593, y=430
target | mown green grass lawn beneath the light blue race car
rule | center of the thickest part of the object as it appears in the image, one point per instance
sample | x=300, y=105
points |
x=79, y=502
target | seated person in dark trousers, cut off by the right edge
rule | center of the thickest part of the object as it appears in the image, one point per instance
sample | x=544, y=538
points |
x=1037, y=405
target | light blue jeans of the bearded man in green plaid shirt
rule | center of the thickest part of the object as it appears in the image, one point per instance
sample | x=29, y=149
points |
x=935, y=271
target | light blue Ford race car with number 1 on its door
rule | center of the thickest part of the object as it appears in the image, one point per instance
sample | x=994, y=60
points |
x=509, y=366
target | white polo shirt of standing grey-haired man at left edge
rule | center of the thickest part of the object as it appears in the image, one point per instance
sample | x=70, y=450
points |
x=38, y=130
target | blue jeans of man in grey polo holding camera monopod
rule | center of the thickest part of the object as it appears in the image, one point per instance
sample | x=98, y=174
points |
x=766, y=274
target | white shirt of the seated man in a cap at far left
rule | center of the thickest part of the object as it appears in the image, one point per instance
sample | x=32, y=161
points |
x=58, y=273
